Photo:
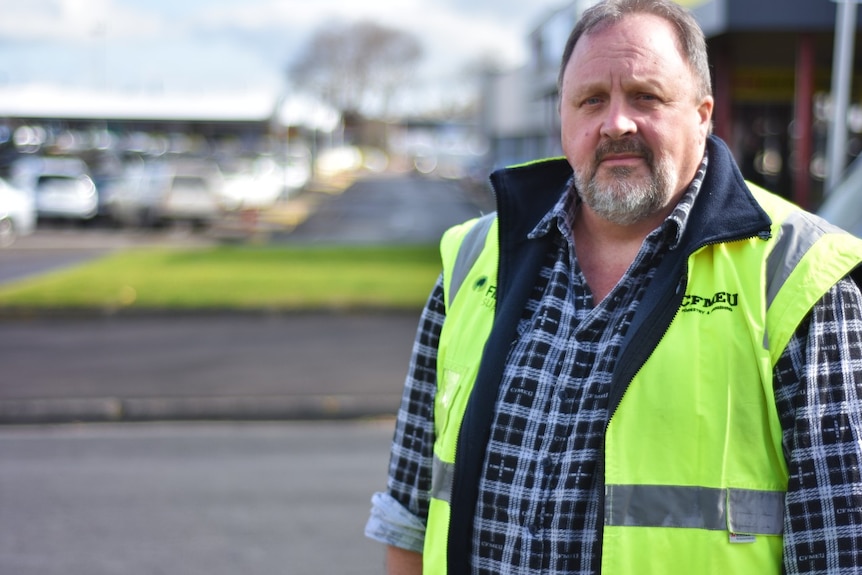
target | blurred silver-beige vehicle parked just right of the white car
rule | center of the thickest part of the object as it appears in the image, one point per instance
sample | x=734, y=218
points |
x=160, y=192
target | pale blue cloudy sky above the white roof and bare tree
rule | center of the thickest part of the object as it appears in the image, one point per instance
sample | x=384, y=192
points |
x=237, y=46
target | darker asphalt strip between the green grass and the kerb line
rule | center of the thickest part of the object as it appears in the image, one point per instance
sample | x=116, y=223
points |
x=222, y=366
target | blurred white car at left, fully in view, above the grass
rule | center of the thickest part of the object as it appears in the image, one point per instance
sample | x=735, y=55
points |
x=61, y=187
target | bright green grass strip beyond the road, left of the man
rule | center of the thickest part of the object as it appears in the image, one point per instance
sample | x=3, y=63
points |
x=236, y=277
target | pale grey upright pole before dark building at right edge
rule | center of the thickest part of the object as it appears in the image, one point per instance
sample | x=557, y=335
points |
x=842, y=75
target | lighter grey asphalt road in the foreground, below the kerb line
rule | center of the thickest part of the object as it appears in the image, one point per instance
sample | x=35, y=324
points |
x=285, y=498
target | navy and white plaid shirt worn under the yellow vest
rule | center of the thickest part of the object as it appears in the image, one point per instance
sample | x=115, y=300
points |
x=537, y=510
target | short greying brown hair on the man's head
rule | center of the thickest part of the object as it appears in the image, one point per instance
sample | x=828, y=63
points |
x=689, y=34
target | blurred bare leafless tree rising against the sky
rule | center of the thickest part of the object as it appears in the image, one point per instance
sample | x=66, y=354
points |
x=353, y=66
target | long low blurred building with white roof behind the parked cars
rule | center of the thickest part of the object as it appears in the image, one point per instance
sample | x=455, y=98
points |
x=105, y=127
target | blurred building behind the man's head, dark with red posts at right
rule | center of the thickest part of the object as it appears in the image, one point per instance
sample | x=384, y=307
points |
x=771, y=62
